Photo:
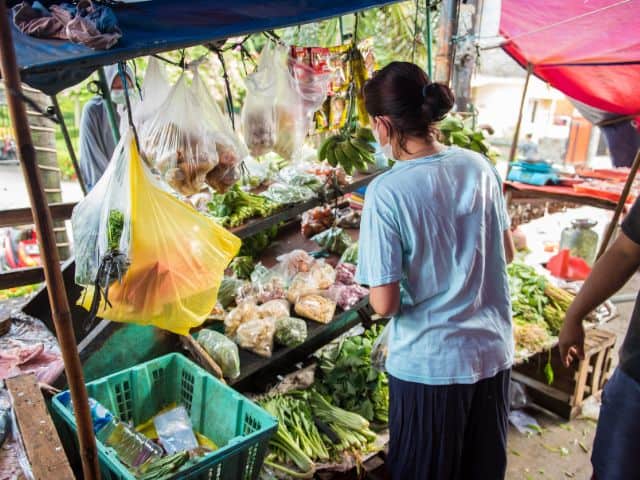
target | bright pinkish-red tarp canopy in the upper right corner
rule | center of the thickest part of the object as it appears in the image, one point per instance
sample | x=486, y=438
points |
x=587, y=49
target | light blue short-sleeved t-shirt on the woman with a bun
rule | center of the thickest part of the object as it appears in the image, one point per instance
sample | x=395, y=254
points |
x=436, y=224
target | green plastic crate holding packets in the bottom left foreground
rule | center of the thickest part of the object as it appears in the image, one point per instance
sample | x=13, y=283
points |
x=238, y=426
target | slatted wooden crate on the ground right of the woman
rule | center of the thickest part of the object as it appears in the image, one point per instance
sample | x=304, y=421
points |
x=573, y=385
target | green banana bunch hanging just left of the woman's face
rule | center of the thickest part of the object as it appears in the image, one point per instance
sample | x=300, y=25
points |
x=351, y=151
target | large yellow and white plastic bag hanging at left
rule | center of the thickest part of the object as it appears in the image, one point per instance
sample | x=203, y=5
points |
x=176, y=256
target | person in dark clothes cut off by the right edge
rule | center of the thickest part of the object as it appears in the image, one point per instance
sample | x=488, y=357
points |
x=617, y=438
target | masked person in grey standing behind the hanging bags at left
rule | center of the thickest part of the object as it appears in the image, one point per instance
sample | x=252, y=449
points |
x=97, y=143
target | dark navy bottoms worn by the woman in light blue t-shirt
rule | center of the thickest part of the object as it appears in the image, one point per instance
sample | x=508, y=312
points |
x=449, y=432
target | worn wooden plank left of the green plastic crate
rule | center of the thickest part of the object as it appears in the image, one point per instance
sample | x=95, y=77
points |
x=39, y=437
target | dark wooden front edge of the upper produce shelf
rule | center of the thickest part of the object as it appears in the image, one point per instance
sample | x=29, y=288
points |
x=259, y=224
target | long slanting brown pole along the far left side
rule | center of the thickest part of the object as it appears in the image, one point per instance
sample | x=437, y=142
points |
x=48, y=250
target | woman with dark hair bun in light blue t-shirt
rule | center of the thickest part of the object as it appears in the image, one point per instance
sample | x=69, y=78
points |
x=434, y=244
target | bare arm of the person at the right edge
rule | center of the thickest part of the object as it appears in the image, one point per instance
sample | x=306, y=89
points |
x=609, y=274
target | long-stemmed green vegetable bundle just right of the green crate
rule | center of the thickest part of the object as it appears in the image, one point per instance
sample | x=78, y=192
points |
x=310, y=430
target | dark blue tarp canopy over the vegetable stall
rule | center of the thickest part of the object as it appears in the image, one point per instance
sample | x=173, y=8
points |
x=162, y=25
